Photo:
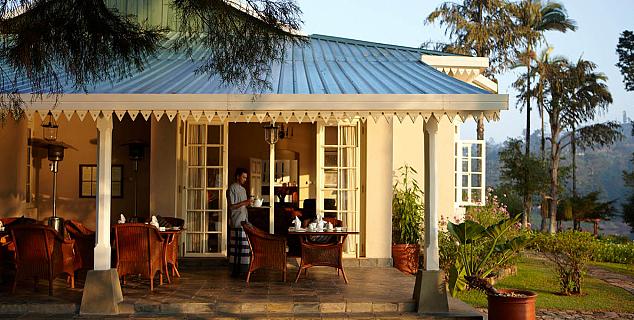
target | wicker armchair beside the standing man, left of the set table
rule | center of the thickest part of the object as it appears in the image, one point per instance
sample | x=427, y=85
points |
x=267, y=250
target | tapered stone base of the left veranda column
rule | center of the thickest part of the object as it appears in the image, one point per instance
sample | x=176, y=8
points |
x=102, y=293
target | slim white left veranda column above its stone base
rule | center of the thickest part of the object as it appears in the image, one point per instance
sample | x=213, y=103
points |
x=104, y=168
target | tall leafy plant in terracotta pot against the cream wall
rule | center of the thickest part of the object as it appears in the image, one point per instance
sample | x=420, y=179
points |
x=407, y=219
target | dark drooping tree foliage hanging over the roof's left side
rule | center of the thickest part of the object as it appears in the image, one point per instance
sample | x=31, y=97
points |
x=49, y=44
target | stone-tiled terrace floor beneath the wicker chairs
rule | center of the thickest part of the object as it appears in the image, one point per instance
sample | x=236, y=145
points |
x=210, y=293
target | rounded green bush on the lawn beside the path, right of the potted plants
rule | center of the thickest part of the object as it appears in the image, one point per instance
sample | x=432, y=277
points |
x=570, y=251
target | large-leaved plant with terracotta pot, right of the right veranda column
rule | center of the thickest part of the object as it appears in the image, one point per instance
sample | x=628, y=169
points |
x=482, y=251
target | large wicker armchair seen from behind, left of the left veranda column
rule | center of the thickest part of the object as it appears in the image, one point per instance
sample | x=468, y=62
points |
x=42, y=253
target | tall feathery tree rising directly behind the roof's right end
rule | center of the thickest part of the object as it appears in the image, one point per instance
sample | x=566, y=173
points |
x=482, y=28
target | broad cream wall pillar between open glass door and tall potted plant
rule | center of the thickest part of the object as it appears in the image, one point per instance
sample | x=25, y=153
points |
x=379, y=173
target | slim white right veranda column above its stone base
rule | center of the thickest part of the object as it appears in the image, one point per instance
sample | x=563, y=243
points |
x=431, y=195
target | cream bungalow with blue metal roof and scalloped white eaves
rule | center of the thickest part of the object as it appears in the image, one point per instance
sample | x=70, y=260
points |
x=345, y=113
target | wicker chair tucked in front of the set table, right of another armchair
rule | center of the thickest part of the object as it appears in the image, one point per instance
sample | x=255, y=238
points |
x=326, y=253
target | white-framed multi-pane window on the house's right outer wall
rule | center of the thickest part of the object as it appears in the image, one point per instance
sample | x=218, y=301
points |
x=470, y=157
